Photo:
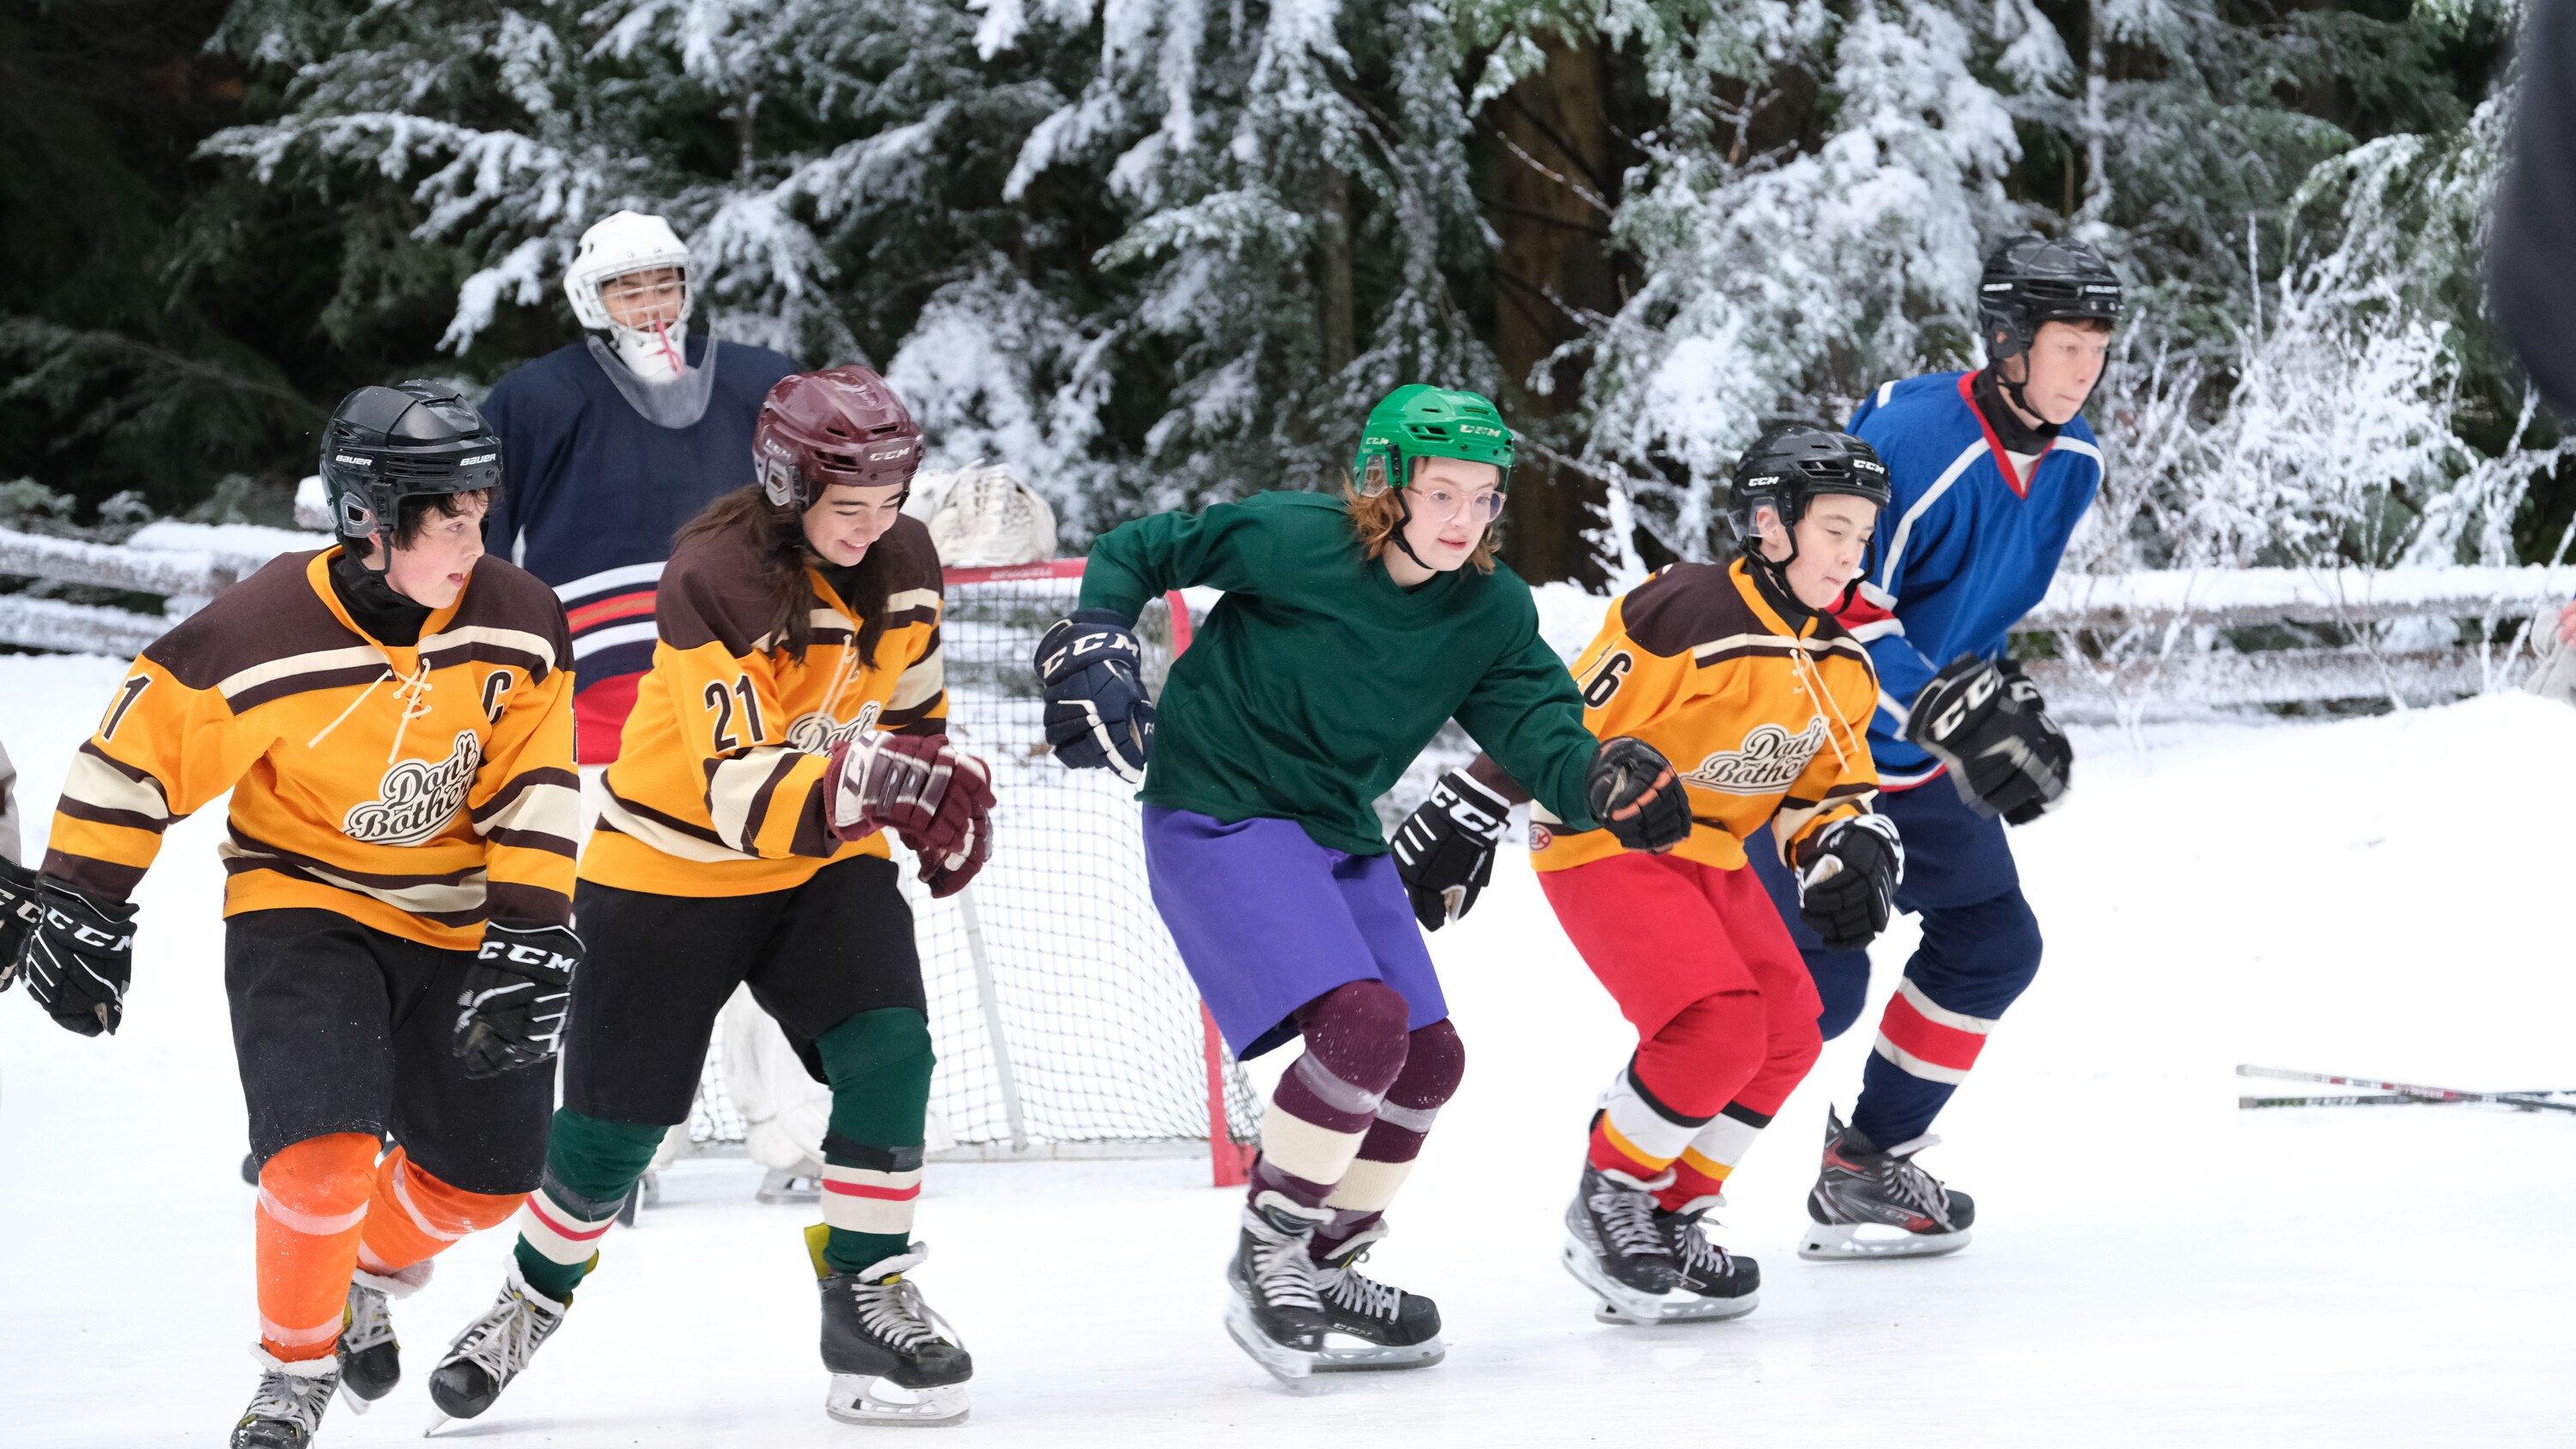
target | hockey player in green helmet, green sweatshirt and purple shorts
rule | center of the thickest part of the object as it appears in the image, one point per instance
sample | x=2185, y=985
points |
x=1351, y=629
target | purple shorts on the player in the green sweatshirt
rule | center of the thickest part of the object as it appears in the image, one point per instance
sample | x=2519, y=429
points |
x=1269, y=920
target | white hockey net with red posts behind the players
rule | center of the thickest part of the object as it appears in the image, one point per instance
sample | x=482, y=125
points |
x=1063, y=1018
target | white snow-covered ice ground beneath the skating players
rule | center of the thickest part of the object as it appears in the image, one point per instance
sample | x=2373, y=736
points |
x=2152, y=1265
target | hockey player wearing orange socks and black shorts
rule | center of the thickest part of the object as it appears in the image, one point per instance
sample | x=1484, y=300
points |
x=395, y=724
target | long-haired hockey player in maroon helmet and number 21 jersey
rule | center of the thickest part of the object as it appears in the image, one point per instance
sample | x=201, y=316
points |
x=792, y=717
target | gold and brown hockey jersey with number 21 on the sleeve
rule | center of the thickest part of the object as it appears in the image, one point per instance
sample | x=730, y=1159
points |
x=717, y=786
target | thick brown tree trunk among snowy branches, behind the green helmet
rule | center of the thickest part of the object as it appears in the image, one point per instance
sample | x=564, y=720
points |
x=1555, y=184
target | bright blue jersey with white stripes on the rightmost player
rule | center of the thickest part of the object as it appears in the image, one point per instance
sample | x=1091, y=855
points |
x=1964, y=547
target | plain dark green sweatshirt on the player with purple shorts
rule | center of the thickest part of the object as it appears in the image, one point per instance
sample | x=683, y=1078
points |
x=1318, y=681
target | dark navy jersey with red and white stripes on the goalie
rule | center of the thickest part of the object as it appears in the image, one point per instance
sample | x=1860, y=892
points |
x=594, y=493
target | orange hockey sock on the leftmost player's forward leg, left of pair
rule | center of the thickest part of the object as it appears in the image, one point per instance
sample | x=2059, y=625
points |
x=313, y=1203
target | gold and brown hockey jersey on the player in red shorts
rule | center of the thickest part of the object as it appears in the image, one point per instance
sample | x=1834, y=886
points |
x=1758, y=717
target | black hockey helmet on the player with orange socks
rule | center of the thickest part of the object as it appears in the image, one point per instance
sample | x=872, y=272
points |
x=395, y=444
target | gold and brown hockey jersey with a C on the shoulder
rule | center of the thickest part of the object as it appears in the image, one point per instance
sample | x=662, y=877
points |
x=413, y=789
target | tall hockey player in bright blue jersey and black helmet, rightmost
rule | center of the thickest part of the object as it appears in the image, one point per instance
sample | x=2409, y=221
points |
x=1990, y=475
